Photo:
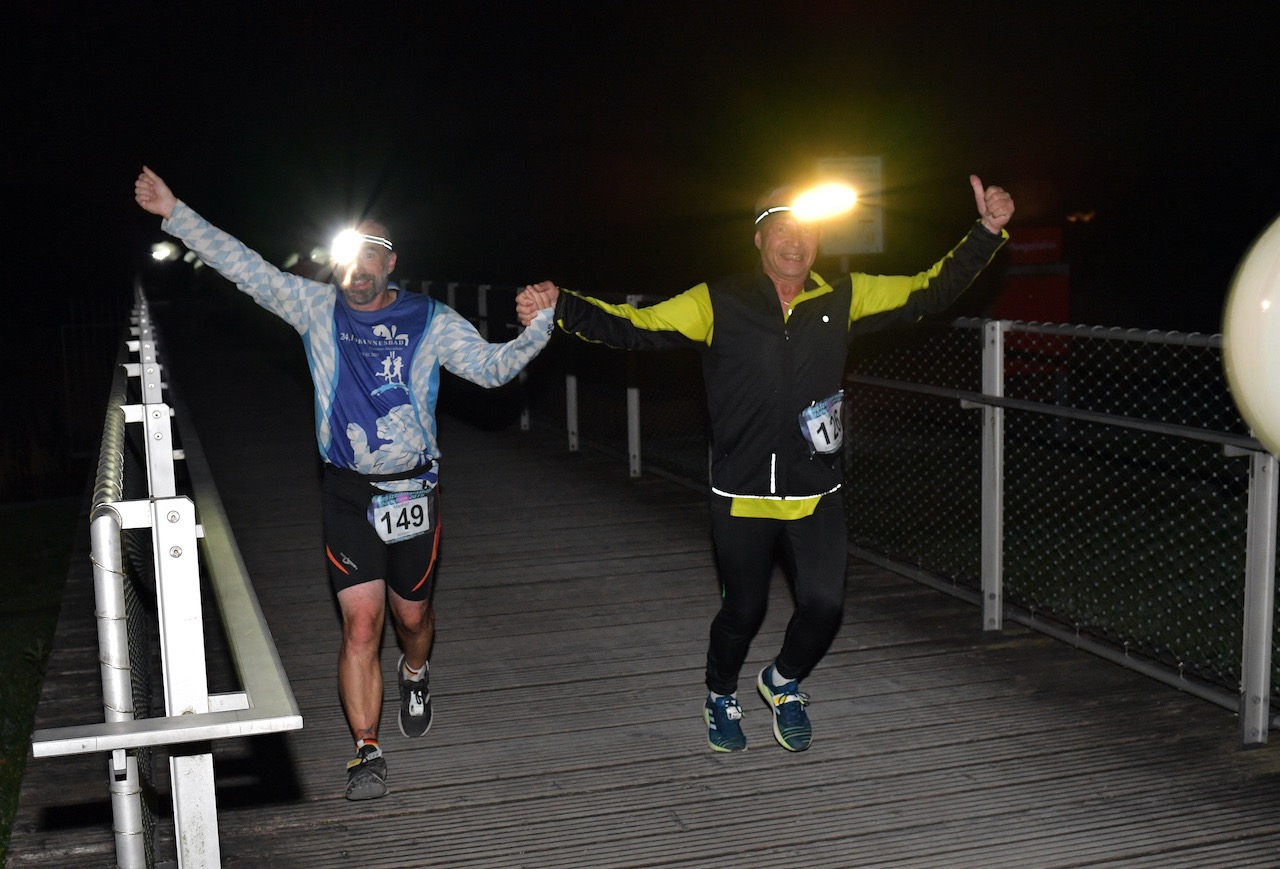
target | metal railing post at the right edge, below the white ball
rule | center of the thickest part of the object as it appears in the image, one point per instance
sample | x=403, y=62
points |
x=1260, y=566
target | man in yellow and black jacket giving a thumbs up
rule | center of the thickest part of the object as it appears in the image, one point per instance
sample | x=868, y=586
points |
x=774, y=346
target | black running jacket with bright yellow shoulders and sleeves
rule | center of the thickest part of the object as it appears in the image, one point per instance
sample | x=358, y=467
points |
x=764, y=365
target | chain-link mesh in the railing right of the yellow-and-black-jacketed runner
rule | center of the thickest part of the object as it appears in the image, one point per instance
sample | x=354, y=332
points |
x=1132, y=534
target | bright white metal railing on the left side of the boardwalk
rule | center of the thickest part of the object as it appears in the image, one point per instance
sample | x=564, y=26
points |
x=148, y=588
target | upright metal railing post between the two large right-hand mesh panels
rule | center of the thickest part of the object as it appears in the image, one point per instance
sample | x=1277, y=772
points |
x=994, y=478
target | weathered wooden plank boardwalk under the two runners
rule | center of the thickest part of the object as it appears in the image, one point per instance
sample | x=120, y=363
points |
x=573, y=612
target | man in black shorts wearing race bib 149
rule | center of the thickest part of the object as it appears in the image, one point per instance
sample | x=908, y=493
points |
x=376, y=355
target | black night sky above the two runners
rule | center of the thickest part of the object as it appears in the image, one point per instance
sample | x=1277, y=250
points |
x=621, y=152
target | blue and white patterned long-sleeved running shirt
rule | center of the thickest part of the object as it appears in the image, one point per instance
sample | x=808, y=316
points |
x=377, y=374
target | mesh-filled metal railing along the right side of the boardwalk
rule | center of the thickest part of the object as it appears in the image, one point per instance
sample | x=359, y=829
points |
x=1095, y=484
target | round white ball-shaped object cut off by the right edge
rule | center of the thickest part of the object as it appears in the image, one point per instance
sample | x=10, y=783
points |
x=1251, y=339
